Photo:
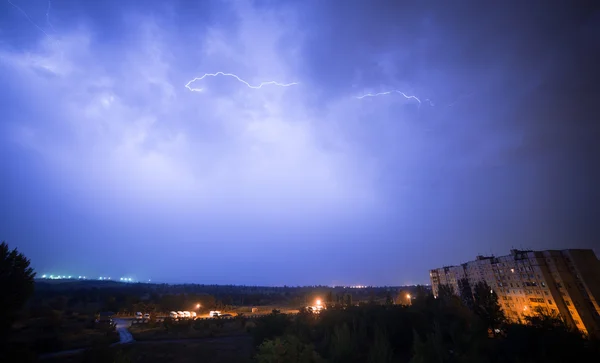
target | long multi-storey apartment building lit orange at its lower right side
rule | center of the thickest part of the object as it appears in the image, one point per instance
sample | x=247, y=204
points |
x=564, y=282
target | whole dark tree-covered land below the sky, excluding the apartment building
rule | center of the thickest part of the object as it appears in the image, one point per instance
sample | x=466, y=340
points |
x=371, y=325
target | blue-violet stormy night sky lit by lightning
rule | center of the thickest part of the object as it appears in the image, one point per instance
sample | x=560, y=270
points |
x=111, y=166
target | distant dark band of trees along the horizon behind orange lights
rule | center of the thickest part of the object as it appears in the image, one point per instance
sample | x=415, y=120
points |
x=94, y=296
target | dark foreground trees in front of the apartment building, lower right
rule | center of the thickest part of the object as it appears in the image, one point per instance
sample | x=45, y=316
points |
x=426, y=330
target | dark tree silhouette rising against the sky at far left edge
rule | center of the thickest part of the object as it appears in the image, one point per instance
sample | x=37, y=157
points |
x=16, y=285
